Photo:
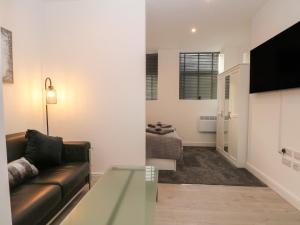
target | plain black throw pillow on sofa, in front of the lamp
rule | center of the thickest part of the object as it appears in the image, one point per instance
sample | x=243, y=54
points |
x=43, y=150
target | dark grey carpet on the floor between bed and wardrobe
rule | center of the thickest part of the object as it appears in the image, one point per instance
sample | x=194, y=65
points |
x=207, y=166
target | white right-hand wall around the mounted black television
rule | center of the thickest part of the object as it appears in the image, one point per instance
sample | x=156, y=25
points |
x=274, y=116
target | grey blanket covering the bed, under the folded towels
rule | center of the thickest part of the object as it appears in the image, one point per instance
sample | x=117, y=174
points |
x=168, y=146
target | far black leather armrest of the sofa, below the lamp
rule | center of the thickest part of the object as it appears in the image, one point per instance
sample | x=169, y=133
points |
x=76, y=151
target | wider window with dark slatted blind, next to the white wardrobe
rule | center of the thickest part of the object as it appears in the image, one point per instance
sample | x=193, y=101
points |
x=198, y=75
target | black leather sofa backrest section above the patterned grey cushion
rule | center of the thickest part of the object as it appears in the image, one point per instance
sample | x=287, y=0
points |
x=16, y=144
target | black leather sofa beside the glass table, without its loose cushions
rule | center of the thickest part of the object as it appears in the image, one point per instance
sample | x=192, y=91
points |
x=38, y=200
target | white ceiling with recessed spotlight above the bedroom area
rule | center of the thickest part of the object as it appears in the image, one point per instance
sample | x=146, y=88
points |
x=169, y=22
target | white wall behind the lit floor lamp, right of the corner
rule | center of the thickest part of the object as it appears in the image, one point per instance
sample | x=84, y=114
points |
x=95, y=55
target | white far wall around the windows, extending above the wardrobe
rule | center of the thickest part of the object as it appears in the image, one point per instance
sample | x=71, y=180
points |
x=184, y=114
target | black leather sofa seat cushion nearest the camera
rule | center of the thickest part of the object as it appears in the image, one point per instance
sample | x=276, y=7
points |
x=31, y=203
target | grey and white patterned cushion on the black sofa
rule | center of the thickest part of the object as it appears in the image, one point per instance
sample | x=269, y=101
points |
x=19, y=171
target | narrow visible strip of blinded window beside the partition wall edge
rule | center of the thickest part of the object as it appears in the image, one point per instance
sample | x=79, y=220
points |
x=151, y=76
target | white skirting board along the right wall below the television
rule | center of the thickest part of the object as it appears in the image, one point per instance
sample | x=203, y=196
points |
x=275, y=186
